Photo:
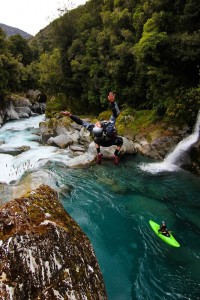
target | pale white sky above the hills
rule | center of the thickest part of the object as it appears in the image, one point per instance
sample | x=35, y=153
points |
x=33, y=15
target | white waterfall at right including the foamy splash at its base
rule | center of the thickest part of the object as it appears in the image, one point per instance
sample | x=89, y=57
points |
x=174, y=159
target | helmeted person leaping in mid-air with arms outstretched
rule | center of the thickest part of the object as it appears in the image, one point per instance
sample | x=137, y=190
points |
x=105, y=133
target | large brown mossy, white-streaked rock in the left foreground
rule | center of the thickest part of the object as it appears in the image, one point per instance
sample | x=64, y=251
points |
x=43, y=252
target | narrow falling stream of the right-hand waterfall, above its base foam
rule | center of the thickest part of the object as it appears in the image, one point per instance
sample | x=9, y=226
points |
x=174, y=157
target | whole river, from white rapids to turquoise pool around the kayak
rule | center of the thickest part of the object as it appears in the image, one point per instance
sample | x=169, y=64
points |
x=113, y=206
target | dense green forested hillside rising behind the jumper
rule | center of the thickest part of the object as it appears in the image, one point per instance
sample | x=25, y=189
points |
x=147, y=52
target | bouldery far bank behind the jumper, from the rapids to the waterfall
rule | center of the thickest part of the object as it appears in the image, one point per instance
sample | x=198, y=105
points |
x=66, y=134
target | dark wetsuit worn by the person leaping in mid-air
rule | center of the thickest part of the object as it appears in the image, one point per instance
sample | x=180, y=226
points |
x=109, y=136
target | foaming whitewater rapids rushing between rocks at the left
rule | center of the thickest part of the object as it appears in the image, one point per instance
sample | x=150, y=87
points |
x=24, y=133
